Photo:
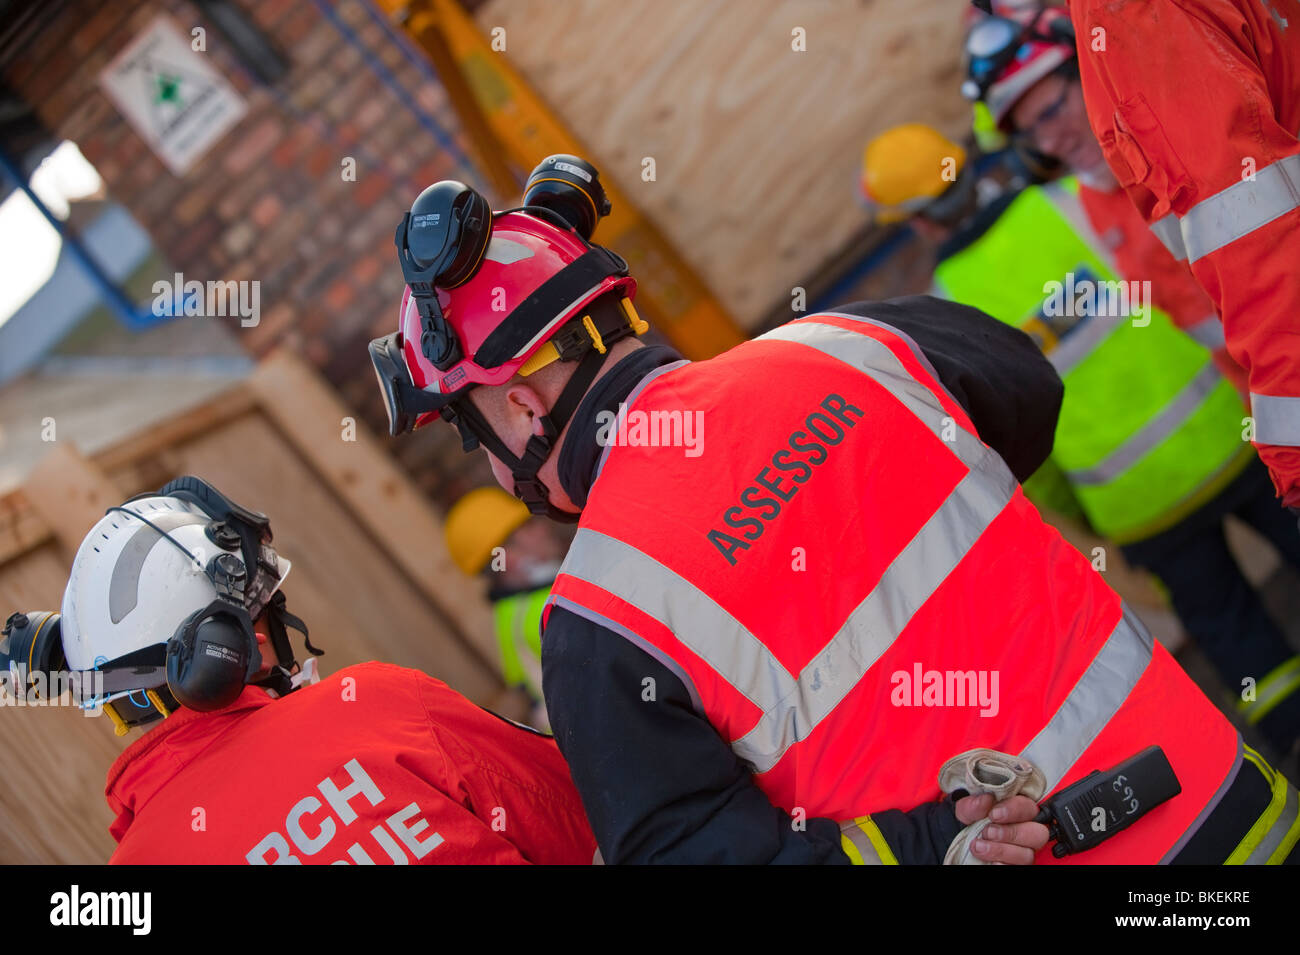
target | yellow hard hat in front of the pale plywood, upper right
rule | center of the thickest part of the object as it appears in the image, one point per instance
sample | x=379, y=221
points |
x=908, y=167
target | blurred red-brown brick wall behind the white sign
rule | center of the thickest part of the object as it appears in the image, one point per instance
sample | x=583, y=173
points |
x=270, y=202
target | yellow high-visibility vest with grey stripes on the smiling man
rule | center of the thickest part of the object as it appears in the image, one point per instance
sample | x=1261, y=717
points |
x=1150, y=431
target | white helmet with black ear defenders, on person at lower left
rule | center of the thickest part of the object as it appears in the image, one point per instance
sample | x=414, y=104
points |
x=162, y=600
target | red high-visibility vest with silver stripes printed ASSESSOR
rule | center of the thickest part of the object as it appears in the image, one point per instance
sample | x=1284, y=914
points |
x=853, y=588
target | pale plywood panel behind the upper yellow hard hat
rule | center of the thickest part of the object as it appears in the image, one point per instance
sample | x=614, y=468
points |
x=757, y=147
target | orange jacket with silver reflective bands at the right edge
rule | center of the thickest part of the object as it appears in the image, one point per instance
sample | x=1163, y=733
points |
x=1197, y=105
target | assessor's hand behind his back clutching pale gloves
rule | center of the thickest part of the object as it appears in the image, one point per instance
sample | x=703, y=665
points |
x=1000, y=810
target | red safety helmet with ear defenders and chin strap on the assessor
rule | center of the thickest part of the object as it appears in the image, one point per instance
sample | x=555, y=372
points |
x=492, y=296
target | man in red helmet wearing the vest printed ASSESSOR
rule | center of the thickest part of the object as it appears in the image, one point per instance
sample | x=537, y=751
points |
x=805, y=578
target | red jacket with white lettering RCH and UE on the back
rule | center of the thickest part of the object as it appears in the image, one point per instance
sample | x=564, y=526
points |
x=374, y=765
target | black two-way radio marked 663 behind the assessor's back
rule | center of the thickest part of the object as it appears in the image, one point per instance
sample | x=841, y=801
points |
x=1086, y=814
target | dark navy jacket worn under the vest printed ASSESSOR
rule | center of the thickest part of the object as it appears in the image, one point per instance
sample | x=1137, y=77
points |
x=658, y=784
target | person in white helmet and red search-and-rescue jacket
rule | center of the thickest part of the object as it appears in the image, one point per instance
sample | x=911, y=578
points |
x=175, y=618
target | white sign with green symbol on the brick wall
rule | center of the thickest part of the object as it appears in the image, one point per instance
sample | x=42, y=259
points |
x=171, y=95
